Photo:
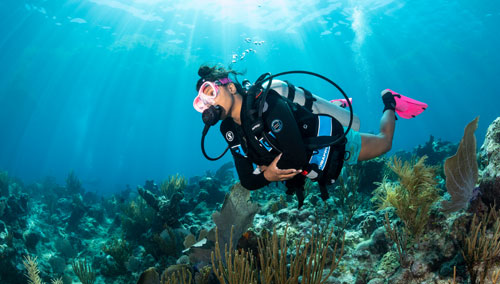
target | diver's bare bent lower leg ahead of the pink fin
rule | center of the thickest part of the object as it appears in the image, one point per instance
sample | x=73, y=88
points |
x=375, y=145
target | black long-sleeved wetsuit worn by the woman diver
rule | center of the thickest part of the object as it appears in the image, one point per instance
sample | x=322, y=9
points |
x=287, y=126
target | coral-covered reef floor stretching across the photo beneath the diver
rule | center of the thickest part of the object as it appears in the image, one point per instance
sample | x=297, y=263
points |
x=166, y=233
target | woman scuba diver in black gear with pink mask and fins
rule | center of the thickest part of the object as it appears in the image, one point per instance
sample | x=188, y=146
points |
x=274, y=138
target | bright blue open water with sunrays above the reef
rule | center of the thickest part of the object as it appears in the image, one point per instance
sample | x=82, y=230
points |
x=105, y=87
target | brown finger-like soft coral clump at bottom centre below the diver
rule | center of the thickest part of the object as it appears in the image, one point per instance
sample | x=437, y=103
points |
x=308, y=262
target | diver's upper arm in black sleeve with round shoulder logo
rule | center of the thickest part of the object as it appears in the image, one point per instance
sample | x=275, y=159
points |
x=289, y=138
